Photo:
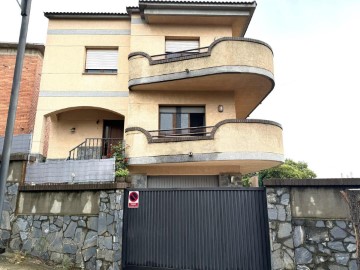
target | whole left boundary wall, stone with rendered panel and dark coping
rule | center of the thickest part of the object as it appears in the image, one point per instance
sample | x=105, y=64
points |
x=91, y=240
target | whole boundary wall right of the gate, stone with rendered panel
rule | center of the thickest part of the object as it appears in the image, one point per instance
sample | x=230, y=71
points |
x=311, y=225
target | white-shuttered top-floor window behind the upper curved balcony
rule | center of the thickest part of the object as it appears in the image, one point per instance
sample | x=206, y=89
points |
x=176, y=47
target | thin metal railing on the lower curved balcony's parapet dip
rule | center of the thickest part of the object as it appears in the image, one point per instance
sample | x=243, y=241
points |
x=181, y=132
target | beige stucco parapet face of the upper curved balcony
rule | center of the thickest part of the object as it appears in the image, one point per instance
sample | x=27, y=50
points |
x=225, y=53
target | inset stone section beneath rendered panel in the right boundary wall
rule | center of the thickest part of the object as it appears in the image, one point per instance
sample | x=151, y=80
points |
x=324, y=244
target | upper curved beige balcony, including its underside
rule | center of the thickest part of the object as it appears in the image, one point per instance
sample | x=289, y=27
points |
x=243, y=66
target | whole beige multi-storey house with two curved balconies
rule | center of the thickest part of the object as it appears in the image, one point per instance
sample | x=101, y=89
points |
x=176, y=80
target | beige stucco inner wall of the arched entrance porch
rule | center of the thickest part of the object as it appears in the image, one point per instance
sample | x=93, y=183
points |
x=88, y=123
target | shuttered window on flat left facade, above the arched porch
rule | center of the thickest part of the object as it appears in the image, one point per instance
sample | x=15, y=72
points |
x=101, y=61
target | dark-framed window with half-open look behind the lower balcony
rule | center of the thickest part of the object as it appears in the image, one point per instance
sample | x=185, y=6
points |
x=182, y=121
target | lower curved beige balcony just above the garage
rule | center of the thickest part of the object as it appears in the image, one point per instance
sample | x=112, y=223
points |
x=238, y=145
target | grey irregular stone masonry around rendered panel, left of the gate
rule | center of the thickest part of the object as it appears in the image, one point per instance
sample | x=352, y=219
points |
x=88, y=241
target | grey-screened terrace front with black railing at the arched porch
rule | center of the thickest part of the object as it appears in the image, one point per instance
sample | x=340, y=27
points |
x=91, y=161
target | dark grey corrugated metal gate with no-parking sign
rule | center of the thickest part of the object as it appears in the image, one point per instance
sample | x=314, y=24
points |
x=199, y=229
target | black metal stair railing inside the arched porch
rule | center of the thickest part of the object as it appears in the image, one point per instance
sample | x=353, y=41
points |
x=93, y=148
